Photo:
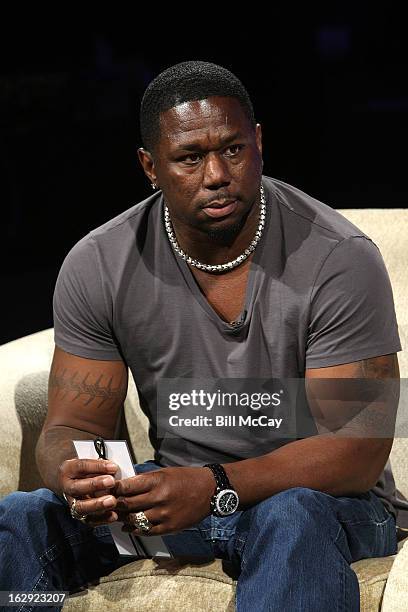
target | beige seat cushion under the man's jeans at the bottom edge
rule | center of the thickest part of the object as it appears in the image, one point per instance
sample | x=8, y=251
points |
x=167, y=585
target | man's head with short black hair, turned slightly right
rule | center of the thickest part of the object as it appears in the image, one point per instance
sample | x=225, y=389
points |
x=202, y=146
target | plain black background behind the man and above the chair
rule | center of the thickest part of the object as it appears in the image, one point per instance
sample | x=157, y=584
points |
x=330, y=90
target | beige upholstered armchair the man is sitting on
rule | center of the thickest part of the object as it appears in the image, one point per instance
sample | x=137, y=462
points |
x=169, y=586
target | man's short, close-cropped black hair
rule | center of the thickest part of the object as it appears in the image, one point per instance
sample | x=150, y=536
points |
x=185, y=82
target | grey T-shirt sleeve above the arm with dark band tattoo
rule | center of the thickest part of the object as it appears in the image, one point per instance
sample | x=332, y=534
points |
x=82, y=325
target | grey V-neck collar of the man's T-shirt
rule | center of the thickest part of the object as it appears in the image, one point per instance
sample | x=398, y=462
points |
x=242, y=320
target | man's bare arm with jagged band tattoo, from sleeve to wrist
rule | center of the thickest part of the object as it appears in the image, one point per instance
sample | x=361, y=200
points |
x=84, y=400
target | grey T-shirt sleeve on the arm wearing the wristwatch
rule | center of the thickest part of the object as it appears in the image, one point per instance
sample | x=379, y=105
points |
x=352, y=314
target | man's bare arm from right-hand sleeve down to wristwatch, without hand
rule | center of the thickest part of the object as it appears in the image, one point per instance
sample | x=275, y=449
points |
x=329, y=462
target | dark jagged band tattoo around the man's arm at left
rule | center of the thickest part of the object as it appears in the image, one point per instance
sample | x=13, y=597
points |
x=59, y=381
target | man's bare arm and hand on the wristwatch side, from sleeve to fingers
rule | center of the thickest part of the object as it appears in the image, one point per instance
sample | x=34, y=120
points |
x=335, y=462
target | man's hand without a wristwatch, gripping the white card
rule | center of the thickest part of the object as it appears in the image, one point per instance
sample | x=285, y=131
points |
x=90, y=481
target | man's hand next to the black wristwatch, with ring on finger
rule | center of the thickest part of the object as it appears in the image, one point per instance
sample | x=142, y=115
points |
x=172, y=498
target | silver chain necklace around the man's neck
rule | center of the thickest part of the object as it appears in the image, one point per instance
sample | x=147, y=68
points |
x=218, y=267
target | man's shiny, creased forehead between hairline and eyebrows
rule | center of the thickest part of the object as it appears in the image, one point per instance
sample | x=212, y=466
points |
x=199, y=118
